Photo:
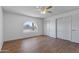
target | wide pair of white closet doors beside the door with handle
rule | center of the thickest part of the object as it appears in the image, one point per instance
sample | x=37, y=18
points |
x=64, y=28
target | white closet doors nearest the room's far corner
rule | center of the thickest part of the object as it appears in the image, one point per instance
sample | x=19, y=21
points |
x=50, y=27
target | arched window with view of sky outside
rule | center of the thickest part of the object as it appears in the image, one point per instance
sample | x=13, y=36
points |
x=30, y=26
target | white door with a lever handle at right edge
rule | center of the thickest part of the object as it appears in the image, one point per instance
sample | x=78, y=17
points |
x=75, y=28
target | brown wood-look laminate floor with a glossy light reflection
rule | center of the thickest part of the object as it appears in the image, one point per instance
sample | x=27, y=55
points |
x=41, y=44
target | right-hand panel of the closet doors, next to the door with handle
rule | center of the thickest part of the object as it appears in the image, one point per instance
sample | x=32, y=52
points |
x=67, y=28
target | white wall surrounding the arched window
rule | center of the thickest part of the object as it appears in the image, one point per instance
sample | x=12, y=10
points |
x=13, y=26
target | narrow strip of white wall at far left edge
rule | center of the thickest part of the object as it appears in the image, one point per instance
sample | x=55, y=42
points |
x=1, y=27
